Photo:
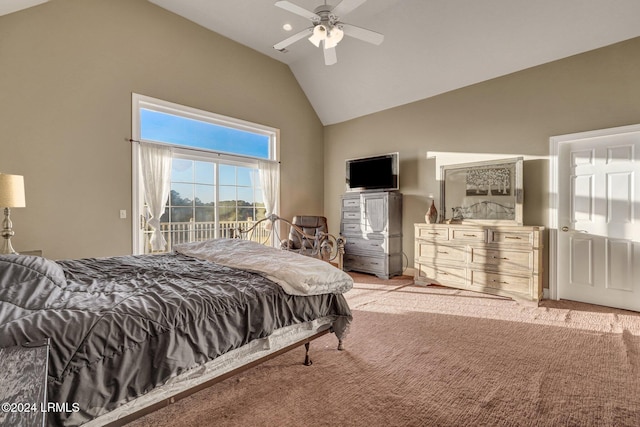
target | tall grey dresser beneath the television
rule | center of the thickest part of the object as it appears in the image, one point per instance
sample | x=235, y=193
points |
x=371, y=222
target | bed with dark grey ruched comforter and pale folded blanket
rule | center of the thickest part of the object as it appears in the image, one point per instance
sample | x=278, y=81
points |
x=129, y=334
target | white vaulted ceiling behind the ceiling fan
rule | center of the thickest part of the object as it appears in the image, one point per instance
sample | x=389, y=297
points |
x=430, y=46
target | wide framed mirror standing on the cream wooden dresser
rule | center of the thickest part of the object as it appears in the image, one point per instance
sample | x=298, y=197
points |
x=487, y=192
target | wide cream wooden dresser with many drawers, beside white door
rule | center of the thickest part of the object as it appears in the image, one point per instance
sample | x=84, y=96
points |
x=501, y=260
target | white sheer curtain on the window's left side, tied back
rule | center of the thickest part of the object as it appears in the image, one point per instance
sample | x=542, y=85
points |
x=155, y=164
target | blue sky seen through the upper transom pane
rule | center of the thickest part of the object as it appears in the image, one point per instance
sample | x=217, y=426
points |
x=172, y=129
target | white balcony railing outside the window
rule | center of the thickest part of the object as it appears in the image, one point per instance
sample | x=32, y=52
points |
x=192, y=231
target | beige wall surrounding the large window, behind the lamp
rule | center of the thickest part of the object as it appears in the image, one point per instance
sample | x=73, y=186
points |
x=67, y=71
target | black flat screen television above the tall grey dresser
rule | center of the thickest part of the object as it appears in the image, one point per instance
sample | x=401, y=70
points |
x=373, y=173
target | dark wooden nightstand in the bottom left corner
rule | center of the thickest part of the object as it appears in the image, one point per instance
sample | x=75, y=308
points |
x=23, y=375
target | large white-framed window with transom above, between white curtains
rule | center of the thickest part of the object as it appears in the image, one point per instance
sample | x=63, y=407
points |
x=214, y=179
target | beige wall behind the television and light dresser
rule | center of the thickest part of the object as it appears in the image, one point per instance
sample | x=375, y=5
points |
x=513, y=115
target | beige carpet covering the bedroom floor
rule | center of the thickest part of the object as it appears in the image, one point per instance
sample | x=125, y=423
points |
x=432, y=356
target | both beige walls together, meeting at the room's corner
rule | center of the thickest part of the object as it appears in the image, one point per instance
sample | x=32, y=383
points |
x=68, y=68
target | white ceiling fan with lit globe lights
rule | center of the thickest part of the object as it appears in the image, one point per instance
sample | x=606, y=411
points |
x=327, y=28
